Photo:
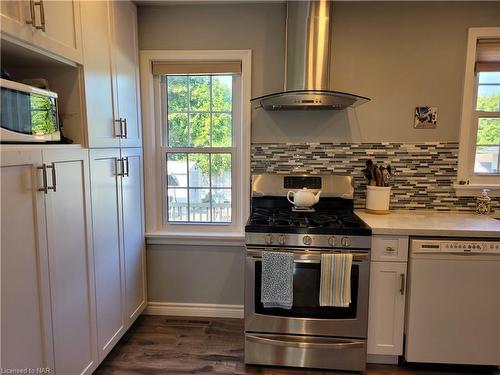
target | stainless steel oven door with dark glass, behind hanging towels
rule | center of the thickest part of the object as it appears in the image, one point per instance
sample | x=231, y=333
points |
x=307, y=317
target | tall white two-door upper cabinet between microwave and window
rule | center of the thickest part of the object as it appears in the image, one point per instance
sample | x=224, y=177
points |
x=111, y=73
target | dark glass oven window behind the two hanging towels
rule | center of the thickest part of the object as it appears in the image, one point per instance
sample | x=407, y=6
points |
x=306, y=281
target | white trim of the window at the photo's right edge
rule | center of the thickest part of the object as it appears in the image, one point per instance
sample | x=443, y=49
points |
x=468, y=127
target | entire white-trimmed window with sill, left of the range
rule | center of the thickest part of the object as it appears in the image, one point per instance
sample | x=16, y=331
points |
x=196, y=115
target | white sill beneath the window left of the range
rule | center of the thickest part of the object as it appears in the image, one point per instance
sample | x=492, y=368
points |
x=196, y=239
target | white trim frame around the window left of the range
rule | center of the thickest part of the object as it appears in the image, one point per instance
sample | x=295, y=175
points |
x=192, y=234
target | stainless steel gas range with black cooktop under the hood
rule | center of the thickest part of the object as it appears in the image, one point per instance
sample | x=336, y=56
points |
x=307, y=335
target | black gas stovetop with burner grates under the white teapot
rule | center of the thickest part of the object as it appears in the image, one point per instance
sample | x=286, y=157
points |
x=285, y=220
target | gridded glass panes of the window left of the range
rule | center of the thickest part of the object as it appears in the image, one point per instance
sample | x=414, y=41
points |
x=198, y=147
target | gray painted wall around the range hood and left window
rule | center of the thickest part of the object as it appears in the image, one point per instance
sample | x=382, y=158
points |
x=401, y=54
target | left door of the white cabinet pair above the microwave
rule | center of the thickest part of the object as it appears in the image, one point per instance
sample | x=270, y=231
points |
x=13, y=17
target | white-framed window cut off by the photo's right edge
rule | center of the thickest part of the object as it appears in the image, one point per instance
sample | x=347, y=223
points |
x=479, y=162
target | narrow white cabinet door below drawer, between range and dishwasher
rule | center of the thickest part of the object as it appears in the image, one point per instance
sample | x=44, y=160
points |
x=386, y=308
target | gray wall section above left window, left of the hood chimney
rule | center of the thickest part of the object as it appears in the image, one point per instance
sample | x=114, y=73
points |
x=259, y=27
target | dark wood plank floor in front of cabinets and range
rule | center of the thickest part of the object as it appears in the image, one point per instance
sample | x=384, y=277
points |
x=173, y=345
